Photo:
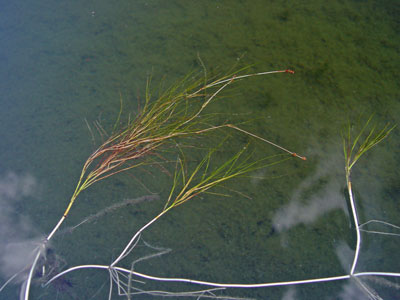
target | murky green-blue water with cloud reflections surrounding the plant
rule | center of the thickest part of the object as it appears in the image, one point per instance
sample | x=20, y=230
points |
x=62, y=63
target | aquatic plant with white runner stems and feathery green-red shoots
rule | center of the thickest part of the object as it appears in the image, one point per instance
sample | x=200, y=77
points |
x=178, y=113
